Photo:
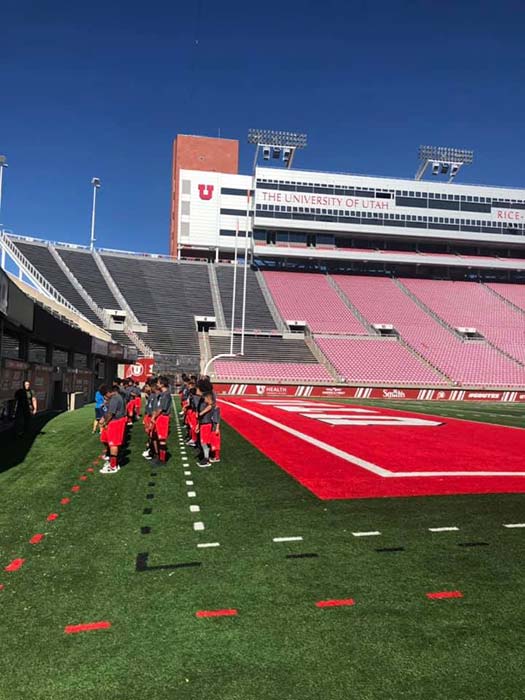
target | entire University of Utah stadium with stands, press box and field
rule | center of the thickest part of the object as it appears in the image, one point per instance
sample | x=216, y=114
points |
x=365, y=338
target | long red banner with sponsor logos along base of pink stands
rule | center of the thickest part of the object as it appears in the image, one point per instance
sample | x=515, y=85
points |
x=352, y=392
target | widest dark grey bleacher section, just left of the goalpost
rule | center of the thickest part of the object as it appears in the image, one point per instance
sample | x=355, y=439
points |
x=166, y=296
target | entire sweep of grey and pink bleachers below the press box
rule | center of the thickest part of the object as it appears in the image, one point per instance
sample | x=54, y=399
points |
x=340, y=311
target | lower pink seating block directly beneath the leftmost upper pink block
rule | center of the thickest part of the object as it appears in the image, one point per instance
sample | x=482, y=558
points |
x=377, y=361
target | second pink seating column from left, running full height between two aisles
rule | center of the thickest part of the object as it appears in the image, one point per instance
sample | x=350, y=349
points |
x=380, y=300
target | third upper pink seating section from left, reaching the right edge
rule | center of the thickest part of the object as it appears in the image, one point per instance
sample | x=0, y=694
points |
x=470, y=304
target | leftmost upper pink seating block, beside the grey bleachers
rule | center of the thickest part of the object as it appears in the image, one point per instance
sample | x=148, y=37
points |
x=309, y=297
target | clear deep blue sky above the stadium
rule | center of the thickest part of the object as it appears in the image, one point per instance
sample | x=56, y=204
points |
x=102, y=88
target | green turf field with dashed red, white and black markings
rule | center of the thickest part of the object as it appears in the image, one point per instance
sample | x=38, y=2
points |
x=393, y=643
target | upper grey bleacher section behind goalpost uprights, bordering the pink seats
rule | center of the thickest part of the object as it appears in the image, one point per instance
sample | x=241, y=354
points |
x=258, y=315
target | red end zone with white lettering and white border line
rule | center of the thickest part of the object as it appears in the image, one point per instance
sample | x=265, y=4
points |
x=341, y=451
